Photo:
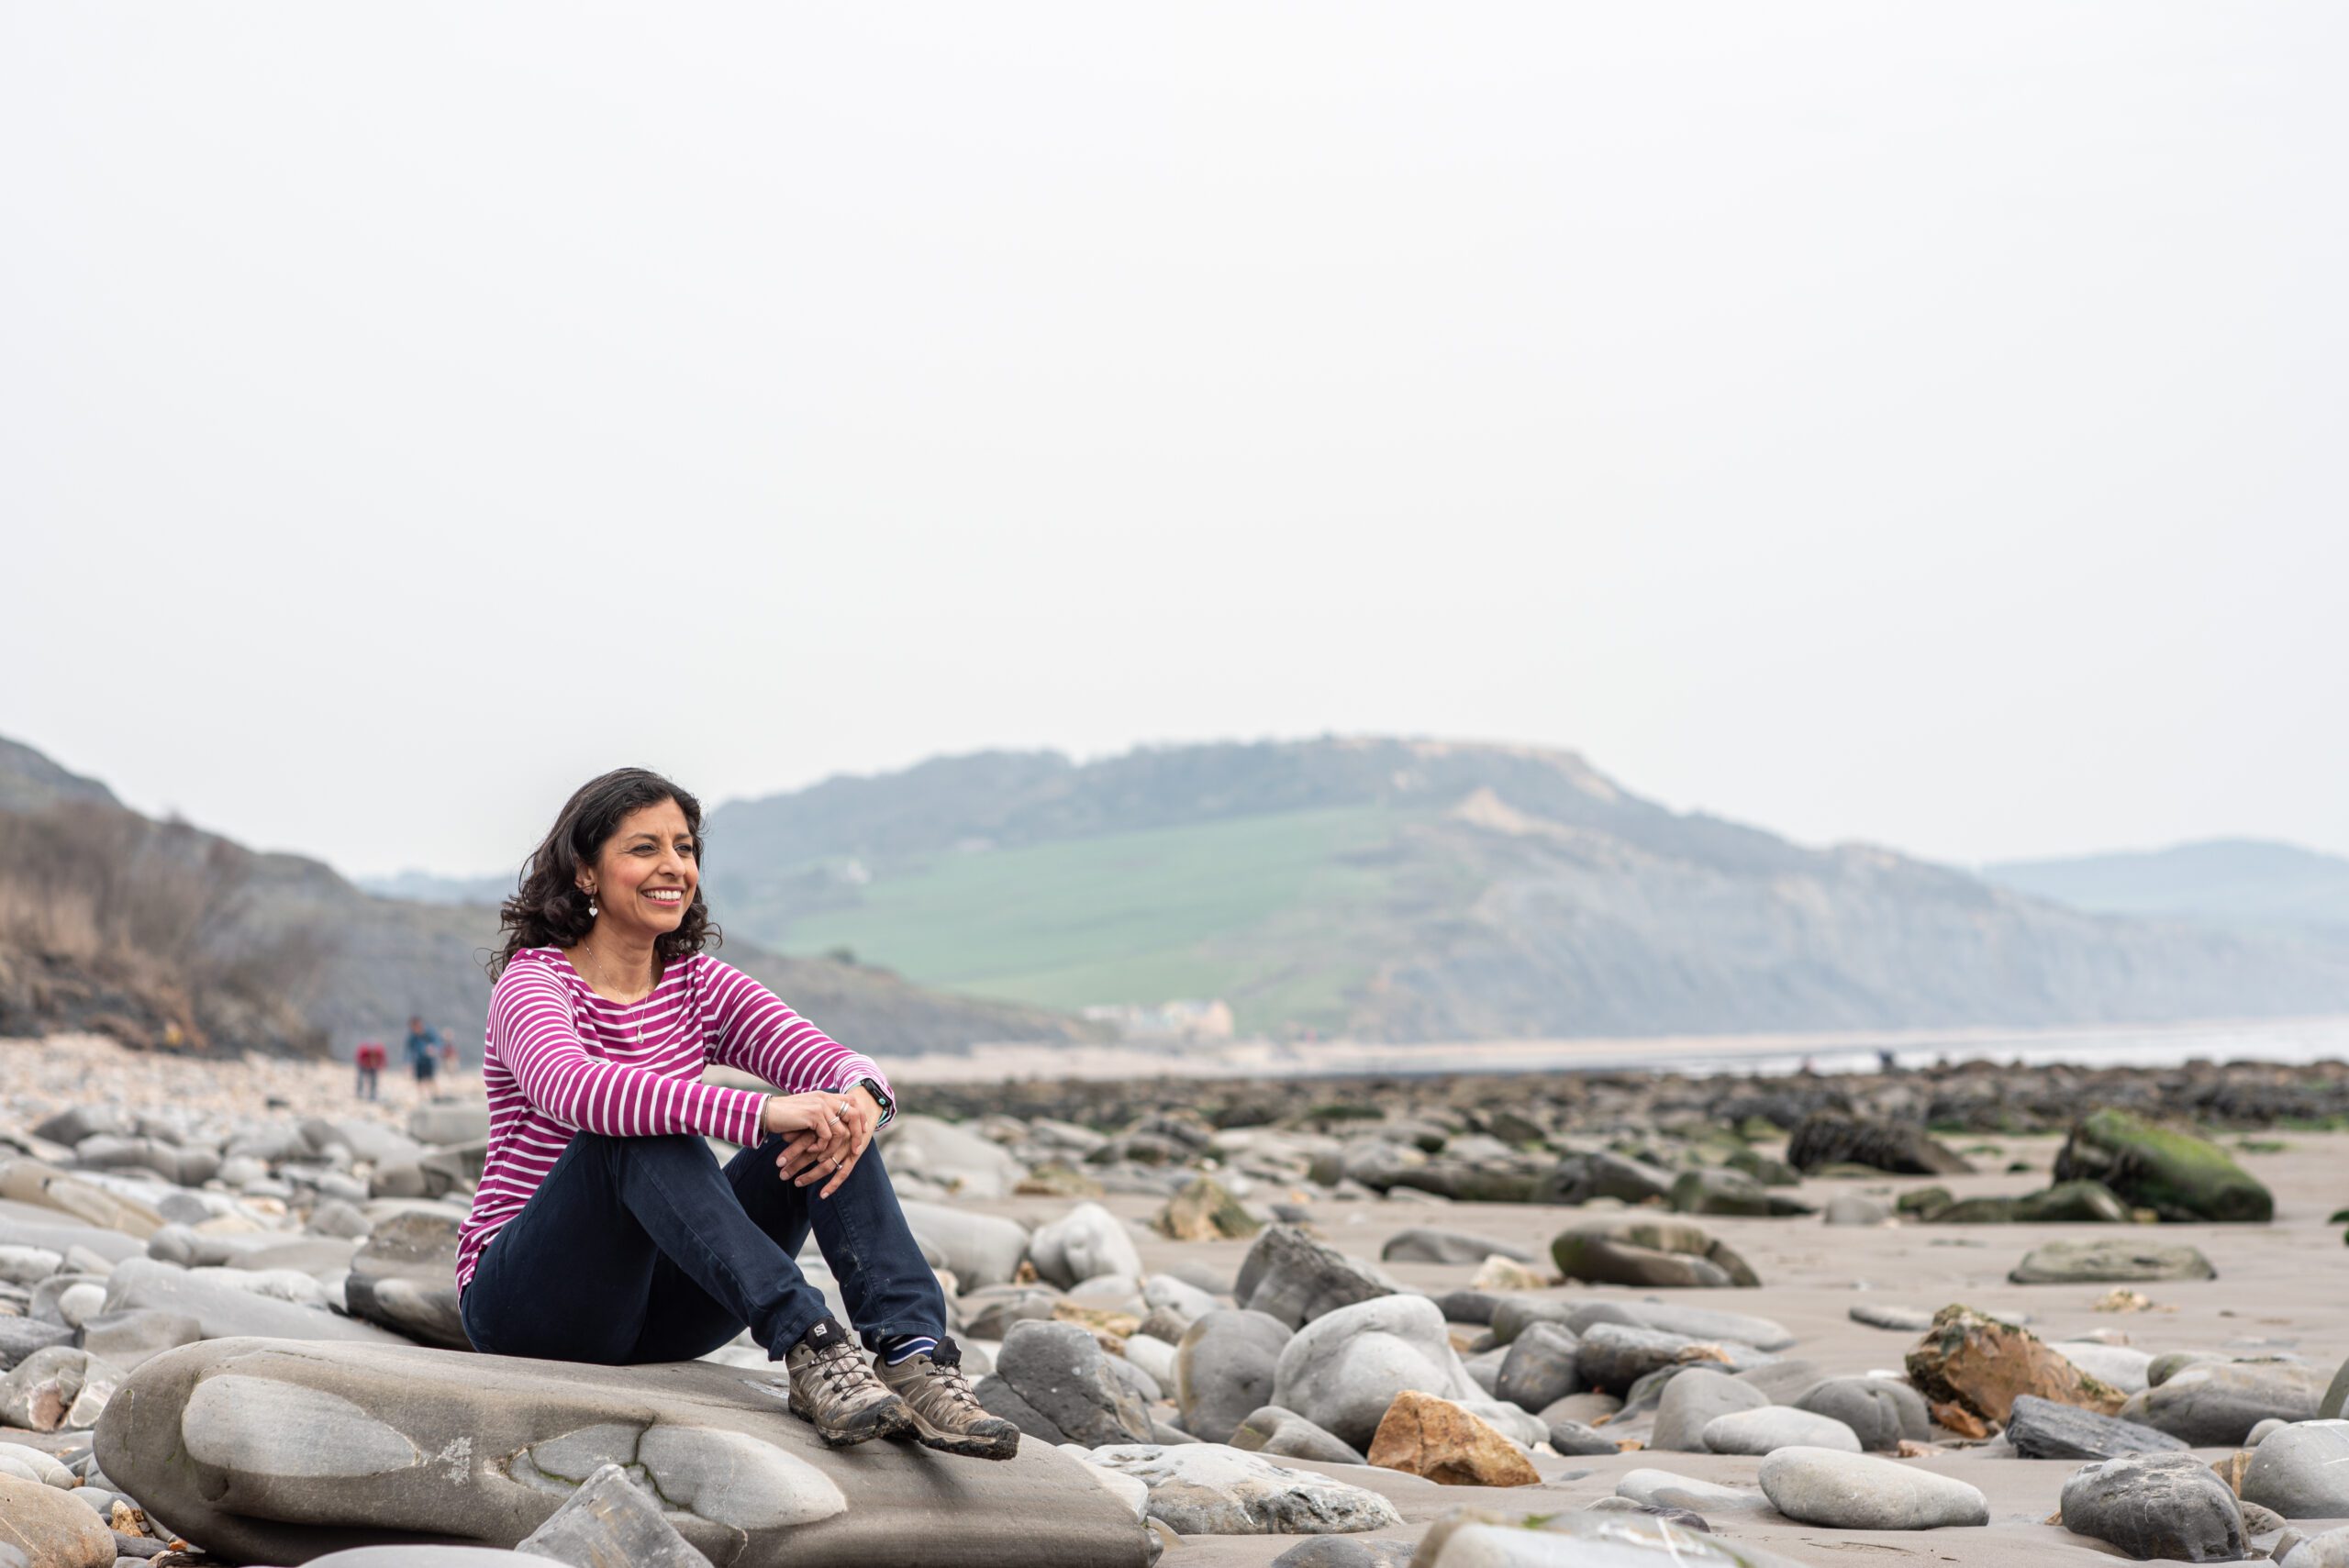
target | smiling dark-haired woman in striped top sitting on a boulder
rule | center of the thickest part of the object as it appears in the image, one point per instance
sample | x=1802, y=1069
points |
x=605, y=1229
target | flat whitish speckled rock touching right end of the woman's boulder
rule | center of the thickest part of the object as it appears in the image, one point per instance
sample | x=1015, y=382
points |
x=1209, y=1489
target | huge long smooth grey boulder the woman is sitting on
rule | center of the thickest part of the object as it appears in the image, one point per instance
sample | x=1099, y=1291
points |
x=283, y=1452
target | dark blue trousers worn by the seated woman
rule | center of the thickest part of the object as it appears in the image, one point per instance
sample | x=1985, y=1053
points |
x=642, y=1250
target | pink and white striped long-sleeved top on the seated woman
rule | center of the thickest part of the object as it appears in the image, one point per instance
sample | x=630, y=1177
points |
x=563, y=1060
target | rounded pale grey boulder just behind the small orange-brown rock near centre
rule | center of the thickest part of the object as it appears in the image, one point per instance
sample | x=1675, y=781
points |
x=1347, y=1367
